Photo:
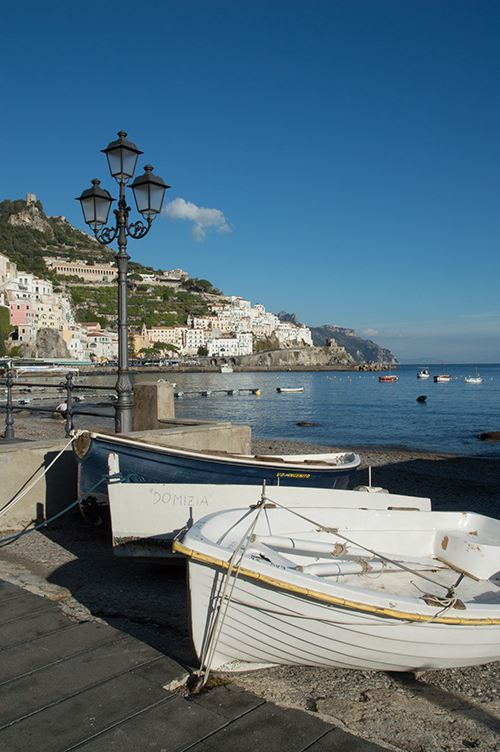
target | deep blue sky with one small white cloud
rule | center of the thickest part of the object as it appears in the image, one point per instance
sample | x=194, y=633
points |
x=348, y=150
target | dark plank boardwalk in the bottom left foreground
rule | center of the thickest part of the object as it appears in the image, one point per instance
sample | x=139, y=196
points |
x=67, y=685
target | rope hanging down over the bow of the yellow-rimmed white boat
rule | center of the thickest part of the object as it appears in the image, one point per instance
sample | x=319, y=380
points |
x=208, y=652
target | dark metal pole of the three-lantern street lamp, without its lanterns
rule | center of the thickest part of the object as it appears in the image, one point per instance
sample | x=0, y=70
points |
x=125, y=397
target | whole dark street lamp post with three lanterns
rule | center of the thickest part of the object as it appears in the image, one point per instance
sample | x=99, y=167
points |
x=96, y=202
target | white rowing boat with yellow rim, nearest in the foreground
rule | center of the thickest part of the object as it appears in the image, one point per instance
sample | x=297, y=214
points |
x=389, y=590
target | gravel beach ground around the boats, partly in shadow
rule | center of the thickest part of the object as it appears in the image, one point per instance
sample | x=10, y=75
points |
x=452, y=710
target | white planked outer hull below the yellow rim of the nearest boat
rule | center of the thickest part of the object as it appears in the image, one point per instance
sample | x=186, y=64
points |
x=266, y=625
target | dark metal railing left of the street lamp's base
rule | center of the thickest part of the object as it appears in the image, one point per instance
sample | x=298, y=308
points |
x=68, y=412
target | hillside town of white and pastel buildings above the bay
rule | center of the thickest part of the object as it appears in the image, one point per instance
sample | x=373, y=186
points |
x=229, y=329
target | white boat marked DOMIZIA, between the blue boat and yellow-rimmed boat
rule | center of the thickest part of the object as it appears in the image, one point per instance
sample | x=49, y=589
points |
x=147, y=517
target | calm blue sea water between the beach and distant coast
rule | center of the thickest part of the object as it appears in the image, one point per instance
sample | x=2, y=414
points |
x=350, y=410
